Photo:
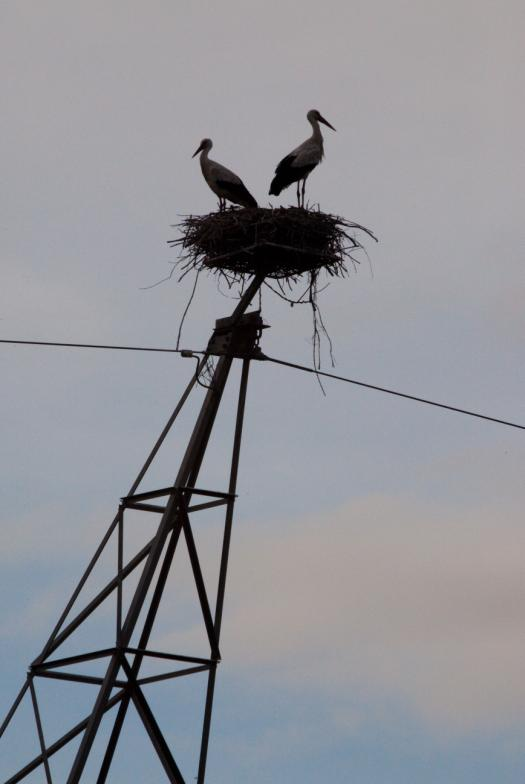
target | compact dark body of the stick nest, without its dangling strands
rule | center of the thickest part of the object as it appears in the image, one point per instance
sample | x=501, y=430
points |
x=282, y=243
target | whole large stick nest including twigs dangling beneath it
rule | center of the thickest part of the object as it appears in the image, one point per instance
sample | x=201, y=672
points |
x=290, y=245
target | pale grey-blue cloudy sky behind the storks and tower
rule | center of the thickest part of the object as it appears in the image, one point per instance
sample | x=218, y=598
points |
x=373, y=627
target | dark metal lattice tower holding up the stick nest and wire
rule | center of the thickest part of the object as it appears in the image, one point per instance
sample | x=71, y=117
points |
x=122, y=684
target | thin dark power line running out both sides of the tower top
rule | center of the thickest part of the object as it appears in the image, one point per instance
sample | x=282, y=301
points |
x=293, y=365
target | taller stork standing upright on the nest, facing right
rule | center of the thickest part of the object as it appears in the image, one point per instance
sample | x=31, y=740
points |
x=300, y=162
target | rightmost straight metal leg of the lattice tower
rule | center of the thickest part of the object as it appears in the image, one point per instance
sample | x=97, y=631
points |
x=223, y=568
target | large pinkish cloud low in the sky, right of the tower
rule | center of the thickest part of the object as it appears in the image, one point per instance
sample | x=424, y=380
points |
x=386, y=600
